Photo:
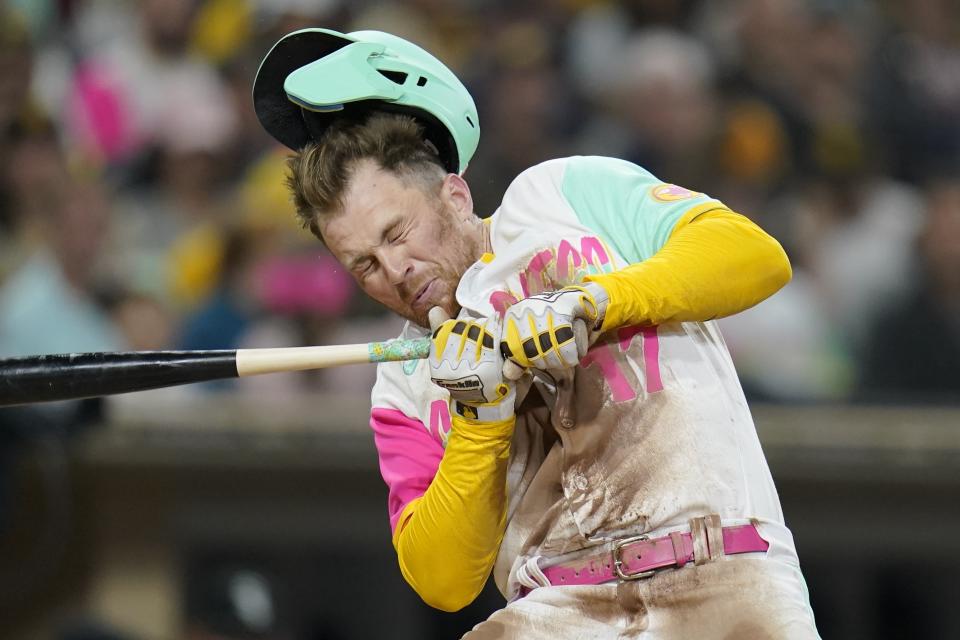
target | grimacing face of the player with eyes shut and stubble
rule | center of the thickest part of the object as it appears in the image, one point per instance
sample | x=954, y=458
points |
x=406, y=245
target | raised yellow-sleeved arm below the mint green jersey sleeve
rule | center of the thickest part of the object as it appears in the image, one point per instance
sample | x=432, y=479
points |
x=719, y=264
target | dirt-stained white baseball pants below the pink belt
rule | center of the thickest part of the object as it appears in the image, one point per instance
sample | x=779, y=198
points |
x=747, y=597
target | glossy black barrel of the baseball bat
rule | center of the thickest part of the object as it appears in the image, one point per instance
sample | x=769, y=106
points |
x=85, y=375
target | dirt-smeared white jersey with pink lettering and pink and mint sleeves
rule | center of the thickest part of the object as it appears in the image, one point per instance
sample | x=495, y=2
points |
x=664, y=432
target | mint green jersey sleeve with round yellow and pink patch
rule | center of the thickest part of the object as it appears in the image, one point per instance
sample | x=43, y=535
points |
x=626, y=205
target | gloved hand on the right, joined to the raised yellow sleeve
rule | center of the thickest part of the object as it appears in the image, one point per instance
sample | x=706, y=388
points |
x=552, y=331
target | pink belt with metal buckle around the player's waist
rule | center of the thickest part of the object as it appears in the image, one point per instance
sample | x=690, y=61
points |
x=639, y=557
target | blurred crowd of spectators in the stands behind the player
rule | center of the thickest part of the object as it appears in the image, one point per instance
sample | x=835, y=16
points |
x=142, y=207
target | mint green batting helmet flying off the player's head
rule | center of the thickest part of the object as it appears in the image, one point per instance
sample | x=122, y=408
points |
x=313, y=77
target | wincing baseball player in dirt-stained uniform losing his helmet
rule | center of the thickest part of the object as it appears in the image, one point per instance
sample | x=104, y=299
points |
x=578, y=430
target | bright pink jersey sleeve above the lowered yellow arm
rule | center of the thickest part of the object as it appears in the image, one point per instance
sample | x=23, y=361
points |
x=409, y=457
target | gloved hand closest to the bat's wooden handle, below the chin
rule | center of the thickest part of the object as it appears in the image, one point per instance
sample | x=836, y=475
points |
x=465, y=360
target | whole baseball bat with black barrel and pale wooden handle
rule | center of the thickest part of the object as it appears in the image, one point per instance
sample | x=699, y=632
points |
x=30, y=379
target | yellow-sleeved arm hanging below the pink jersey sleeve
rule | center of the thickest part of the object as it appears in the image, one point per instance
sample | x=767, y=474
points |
x=447, y=541
